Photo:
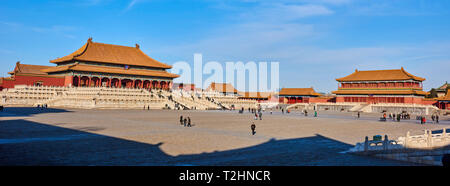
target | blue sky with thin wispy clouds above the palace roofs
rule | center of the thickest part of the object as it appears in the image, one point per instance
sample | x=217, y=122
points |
x=315, y=41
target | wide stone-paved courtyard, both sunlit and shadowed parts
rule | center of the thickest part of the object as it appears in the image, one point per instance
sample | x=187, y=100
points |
x=29, y=136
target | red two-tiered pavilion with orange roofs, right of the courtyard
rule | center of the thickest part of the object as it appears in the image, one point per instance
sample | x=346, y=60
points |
x=381, y=86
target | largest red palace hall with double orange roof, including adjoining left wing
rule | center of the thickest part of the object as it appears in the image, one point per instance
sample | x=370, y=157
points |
x=96, y=65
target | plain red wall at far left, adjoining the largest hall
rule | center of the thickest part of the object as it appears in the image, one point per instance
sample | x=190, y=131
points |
x=31, y=80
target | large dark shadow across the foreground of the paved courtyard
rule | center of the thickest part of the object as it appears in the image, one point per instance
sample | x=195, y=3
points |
x=24, y=142
